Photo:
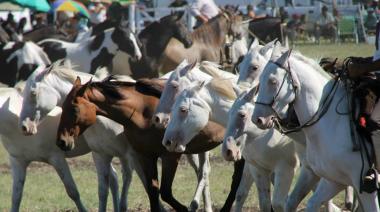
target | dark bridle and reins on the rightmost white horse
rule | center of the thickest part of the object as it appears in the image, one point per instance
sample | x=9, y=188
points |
x=280, y=123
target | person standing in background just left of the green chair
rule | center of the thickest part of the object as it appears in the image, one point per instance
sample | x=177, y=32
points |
x=326, y=26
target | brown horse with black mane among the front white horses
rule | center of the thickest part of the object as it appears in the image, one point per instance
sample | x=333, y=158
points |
x=133, y=104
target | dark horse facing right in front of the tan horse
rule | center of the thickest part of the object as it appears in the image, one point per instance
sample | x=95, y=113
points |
x=154, y=39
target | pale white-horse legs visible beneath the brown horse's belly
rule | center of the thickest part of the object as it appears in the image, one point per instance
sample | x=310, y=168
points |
x=202, y=177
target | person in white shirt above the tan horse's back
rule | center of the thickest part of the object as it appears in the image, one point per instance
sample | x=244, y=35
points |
x=204, y=10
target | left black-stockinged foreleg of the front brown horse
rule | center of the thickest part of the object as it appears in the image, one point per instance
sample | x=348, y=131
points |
x=148, y=165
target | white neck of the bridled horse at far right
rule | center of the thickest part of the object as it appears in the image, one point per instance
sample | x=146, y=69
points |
x=313, y=89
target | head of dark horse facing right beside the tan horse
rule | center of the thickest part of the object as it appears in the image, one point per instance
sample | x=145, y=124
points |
x=178, y=28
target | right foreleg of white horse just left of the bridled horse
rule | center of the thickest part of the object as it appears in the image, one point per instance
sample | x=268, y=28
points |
x=283, y=177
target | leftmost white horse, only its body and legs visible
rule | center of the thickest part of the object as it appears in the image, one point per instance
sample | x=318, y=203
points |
x=41, y=147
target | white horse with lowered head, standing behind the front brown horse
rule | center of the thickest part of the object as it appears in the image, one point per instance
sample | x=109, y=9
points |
x=47, y=88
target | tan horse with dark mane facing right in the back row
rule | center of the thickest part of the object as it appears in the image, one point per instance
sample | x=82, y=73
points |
x=208, y=42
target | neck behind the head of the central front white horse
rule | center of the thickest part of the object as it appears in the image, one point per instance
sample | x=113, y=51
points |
x=219, y=105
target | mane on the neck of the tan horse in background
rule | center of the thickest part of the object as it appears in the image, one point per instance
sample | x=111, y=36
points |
x=205, y=32
